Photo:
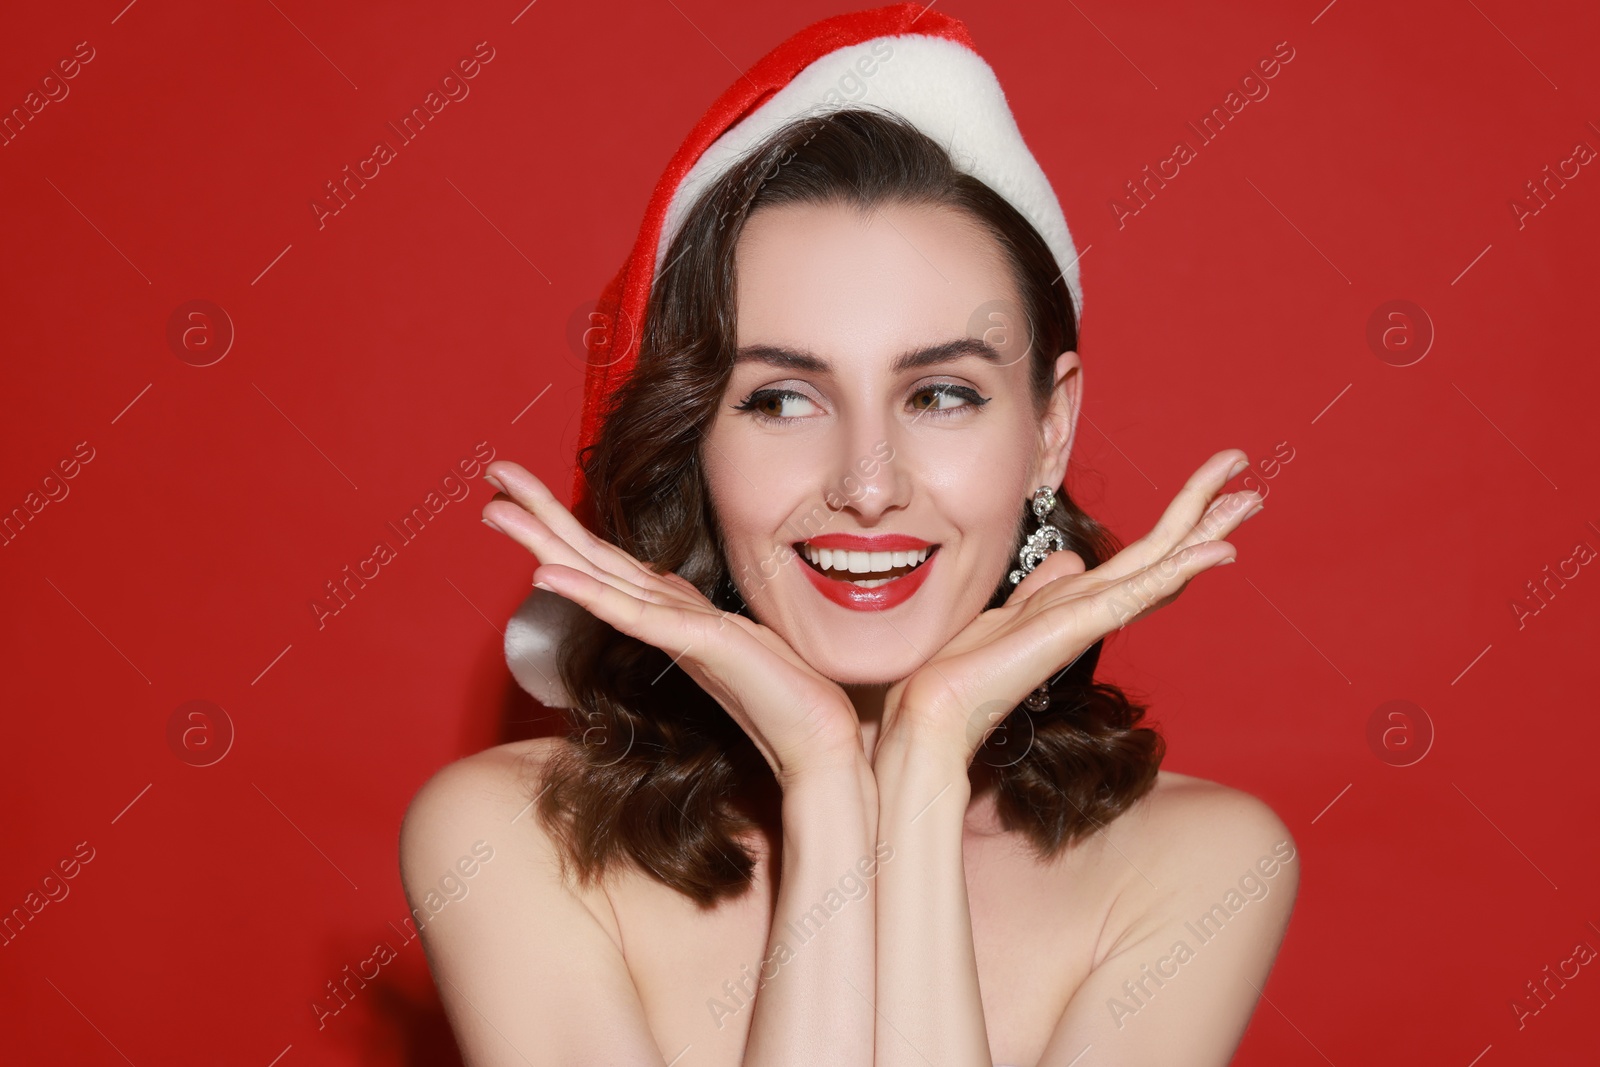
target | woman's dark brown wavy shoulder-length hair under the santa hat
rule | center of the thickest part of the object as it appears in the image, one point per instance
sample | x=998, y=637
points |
x=658, y=775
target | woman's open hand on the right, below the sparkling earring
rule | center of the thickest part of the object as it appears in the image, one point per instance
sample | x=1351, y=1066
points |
x=1058, y=612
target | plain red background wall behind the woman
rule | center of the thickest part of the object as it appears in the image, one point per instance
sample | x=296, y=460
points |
x=431, y=313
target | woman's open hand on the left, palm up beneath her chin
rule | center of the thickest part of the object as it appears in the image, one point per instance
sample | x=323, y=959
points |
x=801, y=721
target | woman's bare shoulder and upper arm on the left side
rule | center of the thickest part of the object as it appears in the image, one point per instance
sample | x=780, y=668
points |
x=527, y=969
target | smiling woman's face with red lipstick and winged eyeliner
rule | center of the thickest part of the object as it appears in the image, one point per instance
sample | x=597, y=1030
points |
x=876, y=410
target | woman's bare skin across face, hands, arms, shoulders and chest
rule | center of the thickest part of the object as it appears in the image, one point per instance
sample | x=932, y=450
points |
x=961, y=946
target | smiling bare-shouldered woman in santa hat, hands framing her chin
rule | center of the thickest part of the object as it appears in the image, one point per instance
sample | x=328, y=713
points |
x=841, y=786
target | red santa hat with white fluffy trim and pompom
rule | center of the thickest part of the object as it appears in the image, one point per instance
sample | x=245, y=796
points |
x=905, y=58
